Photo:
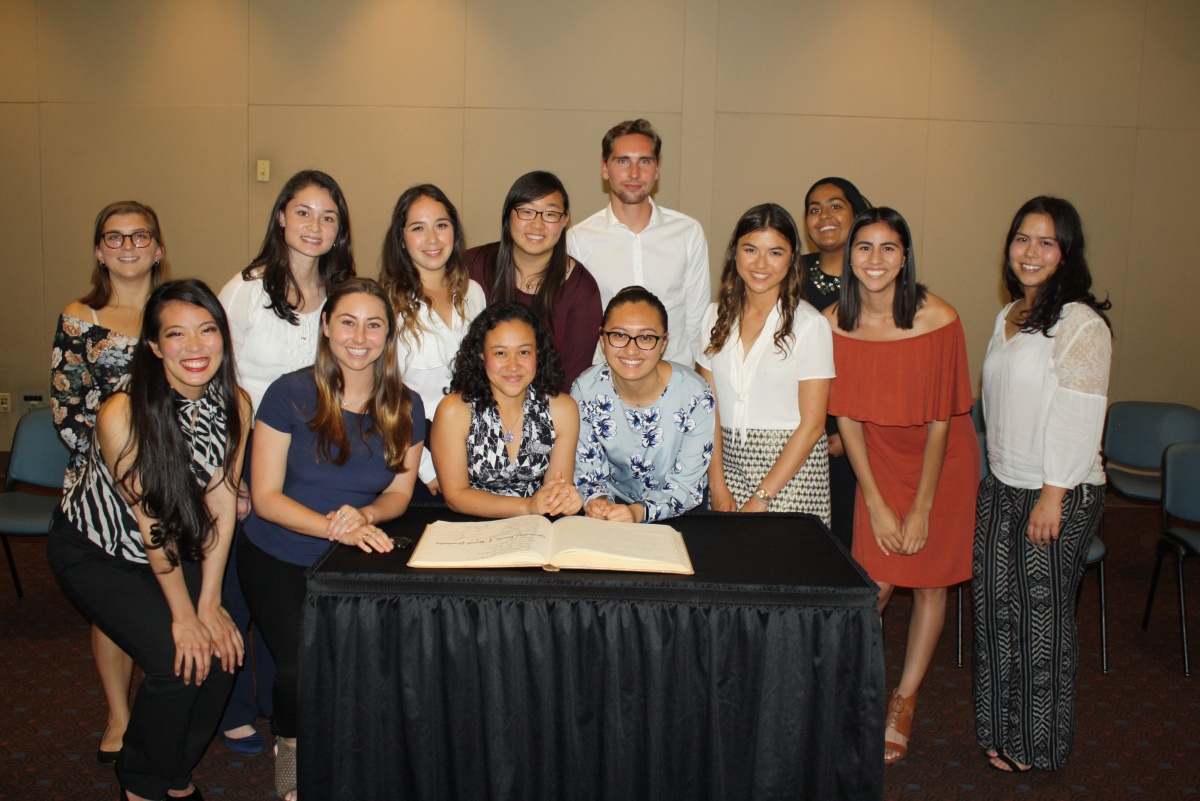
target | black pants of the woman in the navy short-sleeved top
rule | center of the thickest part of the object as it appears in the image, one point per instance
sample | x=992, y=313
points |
x=275, y=592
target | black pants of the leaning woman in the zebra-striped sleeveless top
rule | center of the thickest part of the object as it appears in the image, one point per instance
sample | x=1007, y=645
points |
x=172, y=722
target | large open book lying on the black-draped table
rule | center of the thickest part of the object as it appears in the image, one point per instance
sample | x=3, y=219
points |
x=571, y=543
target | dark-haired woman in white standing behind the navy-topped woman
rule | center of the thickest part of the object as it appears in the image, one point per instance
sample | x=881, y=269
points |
x=274, y=308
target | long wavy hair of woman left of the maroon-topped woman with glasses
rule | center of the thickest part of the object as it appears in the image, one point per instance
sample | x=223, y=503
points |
x=400, y=278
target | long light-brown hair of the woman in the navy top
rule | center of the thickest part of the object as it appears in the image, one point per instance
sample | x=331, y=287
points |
x=389, y=408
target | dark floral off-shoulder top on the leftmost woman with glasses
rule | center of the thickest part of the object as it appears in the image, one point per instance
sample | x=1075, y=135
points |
x=88, y=364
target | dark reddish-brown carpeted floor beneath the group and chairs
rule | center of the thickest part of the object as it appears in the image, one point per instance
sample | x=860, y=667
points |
x=1139, y=726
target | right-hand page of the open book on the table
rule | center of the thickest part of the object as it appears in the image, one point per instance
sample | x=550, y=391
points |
x=583, y=543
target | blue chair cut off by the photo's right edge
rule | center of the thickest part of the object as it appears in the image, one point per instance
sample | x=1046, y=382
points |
x=1181, y=501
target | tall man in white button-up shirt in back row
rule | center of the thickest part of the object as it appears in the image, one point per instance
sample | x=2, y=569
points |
x=635, y=242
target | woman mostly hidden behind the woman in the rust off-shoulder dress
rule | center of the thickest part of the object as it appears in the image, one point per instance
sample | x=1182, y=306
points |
x=830, y=209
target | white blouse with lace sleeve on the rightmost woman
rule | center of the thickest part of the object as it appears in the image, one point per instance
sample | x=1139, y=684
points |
x=1045, y=401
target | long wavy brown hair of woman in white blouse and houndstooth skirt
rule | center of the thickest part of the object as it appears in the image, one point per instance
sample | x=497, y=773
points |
x=731, y=300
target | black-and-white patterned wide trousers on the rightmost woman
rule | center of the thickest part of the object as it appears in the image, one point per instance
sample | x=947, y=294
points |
x=1027, y=647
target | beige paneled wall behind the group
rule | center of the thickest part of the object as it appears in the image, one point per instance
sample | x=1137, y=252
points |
x=955, y=112
